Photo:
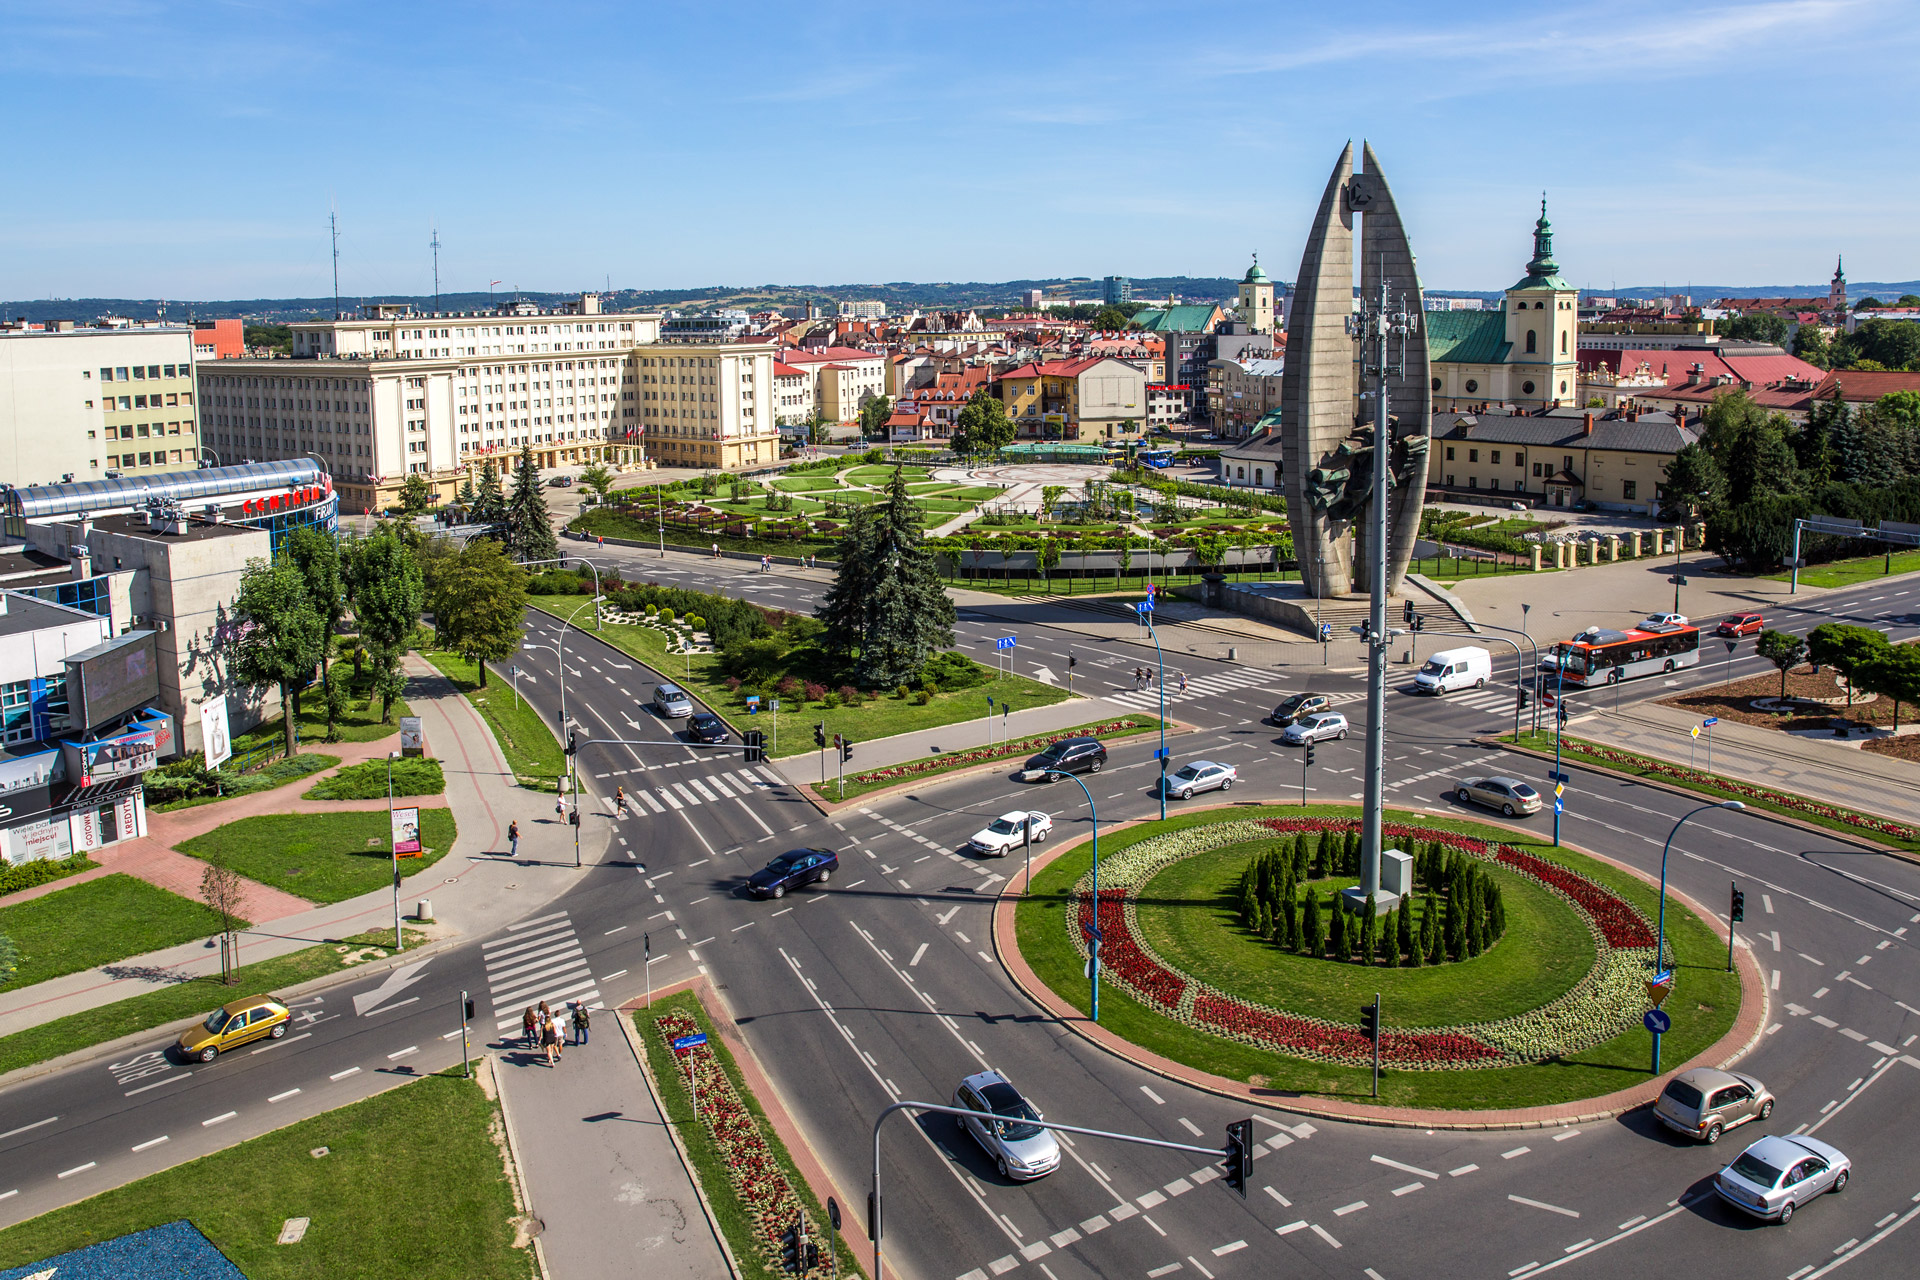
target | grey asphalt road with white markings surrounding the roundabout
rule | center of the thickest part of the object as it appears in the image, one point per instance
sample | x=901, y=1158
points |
x=882, y=987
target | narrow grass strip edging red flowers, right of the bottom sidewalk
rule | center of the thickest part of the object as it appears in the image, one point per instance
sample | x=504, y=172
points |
x=704, y=1152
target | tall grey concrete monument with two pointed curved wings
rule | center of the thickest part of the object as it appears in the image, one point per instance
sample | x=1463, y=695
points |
x=1326, y=429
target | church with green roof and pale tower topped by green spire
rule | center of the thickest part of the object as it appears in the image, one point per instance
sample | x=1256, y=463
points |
x=1525, y=354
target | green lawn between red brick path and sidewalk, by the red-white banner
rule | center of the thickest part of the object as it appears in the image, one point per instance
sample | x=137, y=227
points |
x=322, y=857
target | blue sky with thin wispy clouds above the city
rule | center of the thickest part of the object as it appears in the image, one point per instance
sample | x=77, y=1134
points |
x=193, y=151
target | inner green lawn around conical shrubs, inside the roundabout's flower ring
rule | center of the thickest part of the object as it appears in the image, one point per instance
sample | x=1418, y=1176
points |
x=1191, y=916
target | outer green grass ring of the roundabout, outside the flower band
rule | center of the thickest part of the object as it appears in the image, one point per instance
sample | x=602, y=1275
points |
x=1702, y=1008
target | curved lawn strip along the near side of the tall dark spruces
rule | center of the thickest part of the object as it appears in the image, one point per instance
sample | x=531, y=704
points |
x=882, y=717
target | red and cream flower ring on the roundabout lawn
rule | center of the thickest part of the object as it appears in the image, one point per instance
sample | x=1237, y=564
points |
x=1604, y=1005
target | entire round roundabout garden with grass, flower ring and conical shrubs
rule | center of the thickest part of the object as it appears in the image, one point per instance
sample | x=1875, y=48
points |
x=1512, y=978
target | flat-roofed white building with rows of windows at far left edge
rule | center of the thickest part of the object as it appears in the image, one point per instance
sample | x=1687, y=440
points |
x=95, y=402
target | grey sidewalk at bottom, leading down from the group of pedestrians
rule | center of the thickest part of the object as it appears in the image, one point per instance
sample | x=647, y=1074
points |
x=602, y=1172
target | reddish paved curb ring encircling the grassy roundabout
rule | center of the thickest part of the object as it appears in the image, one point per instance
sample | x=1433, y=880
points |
x=1744, y=1033
